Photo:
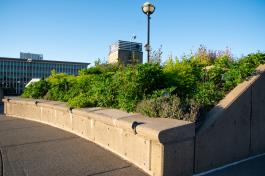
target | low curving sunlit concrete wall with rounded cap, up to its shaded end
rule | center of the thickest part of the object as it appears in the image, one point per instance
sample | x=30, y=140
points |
x=158, y=146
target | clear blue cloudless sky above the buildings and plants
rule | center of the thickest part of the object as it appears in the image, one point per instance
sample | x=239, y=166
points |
x=82, y=30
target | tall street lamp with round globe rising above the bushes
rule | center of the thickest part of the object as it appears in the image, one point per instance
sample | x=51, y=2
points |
x=148, y=9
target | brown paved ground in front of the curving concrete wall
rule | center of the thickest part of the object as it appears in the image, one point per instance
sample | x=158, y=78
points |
x=33, y=149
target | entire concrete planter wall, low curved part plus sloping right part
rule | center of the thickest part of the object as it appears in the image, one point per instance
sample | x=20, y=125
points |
x=233, y=130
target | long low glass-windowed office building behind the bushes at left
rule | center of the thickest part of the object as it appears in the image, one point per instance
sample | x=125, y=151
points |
x=15, y=73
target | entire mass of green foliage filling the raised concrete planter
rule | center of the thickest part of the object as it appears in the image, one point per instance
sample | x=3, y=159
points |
x=180, y=88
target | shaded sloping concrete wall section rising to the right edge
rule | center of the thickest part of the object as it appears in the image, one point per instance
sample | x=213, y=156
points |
x=235, y=128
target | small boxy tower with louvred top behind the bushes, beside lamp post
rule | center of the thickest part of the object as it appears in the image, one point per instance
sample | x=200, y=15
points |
x=125, y=52
